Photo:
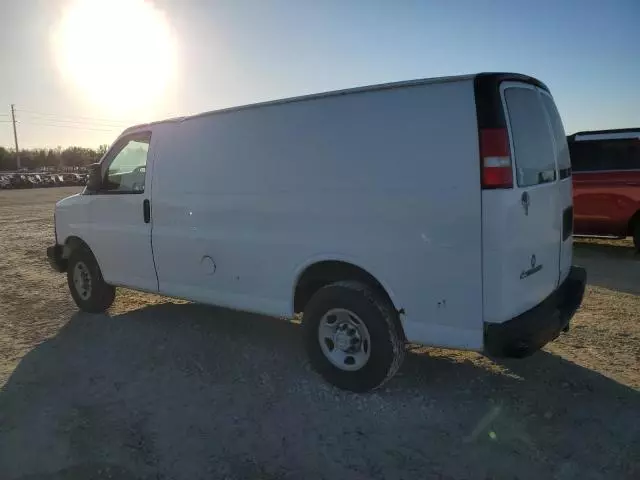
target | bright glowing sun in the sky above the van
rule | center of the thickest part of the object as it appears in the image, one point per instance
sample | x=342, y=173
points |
x=120, y=54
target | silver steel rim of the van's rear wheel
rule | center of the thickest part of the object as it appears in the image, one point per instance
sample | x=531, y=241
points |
x=344, y=339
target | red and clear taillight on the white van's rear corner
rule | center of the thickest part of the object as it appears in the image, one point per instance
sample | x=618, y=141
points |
x=496, y=158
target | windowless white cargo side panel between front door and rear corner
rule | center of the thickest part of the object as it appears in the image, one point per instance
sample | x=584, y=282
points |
x=387, y=180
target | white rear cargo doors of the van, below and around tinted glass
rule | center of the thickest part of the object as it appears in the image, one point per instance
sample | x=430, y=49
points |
x=525, y=258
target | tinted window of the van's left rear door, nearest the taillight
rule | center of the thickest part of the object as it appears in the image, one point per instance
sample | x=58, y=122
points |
x=532, y=142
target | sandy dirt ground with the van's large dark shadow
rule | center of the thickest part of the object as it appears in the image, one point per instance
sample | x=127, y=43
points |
x=161, y=389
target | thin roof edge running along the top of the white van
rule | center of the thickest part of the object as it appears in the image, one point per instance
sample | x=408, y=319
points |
x=499, y=76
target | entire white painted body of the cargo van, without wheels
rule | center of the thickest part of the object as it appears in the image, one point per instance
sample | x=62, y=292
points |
x=385, y=178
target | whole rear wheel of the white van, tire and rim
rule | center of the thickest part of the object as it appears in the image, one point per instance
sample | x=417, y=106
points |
x=352, y=336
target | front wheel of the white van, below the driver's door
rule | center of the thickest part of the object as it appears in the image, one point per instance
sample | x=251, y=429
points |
x=99, y=296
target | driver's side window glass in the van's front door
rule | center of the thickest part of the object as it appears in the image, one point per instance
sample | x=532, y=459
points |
x=126, y=171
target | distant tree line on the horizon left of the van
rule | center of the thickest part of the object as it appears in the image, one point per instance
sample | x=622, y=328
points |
x=51, y=157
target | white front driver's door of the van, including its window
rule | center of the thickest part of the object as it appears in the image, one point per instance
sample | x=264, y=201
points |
x=120, y=215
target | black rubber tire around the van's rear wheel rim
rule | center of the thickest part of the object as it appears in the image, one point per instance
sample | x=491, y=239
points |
x=380, y=318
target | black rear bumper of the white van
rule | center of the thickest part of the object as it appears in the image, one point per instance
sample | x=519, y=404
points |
x=533, y=329
